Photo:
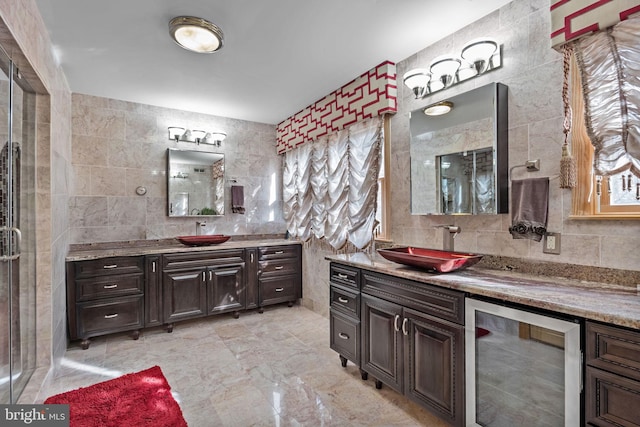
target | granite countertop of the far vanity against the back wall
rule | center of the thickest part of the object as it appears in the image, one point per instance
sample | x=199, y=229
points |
x=89, y=251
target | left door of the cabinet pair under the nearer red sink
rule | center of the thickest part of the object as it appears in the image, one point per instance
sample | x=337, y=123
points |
x=382, y=340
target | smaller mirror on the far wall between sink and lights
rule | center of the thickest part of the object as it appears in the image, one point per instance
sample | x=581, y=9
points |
x=195, y=183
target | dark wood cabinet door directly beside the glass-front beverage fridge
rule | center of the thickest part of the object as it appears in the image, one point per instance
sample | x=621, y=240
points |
x=434, y=364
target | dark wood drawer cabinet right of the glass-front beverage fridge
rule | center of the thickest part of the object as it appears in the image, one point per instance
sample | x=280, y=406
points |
x=612, y=376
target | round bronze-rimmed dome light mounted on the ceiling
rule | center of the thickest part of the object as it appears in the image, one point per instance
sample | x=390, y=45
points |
x=196, y=34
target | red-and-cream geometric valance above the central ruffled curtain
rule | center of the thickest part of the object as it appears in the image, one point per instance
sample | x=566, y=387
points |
x=372, y=94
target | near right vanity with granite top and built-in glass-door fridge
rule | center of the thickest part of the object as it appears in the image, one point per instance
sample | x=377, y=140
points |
x=407, y=329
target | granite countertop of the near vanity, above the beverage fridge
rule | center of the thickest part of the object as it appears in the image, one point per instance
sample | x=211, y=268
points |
x=606, y=302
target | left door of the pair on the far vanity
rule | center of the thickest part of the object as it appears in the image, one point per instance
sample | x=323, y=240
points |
x=184, y=294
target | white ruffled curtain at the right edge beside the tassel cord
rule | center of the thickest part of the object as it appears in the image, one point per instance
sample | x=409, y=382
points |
x=609, y=63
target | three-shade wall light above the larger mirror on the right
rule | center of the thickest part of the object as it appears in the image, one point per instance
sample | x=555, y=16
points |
x=477, y=57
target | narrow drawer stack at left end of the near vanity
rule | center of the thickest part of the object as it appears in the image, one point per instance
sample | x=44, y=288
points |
x=344, y=314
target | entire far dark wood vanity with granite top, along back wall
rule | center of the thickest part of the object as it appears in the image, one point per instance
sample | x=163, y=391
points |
x=129, y=287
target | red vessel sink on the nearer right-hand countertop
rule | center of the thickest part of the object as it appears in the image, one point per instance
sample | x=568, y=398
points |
x=430, y=259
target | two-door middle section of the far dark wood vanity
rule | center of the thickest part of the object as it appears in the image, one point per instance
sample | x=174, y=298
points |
x=201, y=283
